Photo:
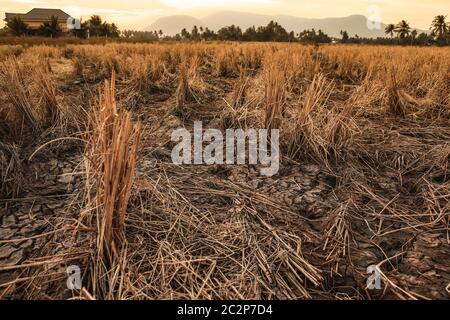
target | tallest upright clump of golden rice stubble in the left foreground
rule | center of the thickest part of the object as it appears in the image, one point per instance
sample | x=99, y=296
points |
x=113, y=152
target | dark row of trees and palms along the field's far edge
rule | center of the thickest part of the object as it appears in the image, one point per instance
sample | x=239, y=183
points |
x=400, y=33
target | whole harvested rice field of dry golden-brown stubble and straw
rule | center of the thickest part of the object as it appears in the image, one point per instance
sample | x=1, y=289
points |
x=86, y=176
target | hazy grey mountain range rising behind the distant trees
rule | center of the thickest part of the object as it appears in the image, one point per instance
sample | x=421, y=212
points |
x=354, y=24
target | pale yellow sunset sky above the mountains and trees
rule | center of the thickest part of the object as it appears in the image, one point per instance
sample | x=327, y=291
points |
x=138, y=14
